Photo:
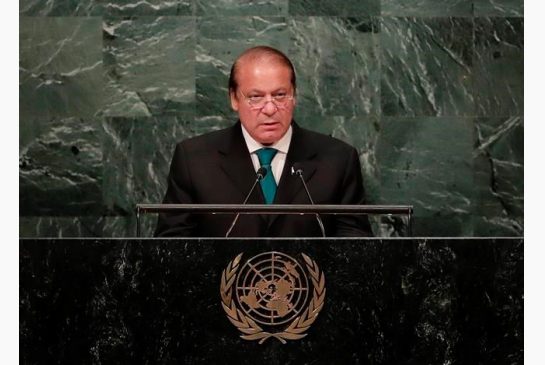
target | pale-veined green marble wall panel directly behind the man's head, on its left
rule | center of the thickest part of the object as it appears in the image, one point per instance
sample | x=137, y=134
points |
x=219, y=42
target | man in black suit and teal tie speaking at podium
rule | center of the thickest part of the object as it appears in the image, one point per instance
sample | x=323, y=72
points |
x=220, y=167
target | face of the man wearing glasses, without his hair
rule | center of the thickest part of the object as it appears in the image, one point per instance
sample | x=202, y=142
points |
x=267, y=79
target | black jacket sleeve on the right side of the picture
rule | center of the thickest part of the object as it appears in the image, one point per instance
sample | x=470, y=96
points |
x=356, y=225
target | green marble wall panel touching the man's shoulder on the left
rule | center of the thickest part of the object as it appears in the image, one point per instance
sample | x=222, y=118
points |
x=137, y=155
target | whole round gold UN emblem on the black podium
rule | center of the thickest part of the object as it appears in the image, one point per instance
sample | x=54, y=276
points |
x=270, y=295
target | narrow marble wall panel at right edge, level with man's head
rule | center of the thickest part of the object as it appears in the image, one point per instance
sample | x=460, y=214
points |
x=499, y=66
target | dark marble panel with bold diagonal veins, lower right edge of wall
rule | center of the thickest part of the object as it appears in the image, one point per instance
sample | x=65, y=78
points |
x=499, y=176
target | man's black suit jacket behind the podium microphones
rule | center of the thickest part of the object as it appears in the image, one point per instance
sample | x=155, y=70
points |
x=216, y=168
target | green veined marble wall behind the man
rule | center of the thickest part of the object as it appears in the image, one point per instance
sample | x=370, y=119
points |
x=429, y=91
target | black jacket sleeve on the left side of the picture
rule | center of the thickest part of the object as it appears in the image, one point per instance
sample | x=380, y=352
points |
x=179, y=191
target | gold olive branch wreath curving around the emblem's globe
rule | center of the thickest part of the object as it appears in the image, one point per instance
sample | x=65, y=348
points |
x=250, y=329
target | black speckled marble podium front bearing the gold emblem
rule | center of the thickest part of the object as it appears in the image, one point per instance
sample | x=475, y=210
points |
x=383, y=301
